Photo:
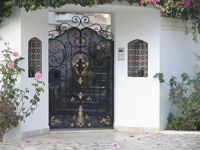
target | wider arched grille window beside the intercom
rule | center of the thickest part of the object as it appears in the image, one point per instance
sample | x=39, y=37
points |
x=137, y=58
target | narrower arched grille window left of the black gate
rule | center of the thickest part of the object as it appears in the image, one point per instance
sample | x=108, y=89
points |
x=34, y=56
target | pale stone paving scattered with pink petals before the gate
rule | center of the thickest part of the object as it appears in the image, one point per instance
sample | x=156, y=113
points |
x=105, y=140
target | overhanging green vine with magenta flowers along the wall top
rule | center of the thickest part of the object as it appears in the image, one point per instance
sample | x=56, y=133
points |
x=184, y=9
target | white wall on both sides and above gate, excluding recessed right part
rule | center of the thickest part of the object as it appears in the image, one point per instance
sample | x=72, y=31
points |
x=137, y=99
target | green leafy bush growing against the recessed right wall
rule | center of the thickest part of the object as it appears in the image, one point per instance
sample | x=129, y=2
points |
x=185, y=96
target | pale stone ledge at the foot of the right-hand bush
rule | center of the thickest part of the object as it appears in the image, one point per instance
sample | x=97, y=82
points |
x=174, y=132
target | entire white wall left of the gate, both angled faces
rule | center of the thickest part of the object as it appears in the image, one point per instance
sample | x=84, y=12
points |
x=18, y=30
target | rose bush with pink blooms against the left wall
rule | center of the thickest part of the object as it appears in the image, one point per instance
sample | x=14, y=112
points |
x=15, y=104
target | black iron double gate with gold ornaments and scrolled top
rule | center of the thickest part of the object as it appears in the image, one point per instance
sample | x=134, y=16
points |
x=81, y=75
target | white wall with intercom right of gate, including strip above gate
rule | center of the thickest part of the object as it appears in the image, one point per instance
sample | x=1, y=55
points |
x=136, y=99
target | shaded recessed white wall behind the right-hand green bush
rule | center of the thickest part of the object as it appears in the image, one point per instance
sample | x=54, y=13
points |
x=177, y=55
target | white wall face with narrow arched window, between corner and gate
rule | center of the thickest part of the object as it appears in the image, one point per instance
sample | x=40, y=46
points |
x=35, y=24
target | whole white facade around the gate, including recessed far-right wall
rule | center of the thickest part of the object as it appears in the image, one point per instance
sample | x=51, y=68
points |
x=141, y=104
